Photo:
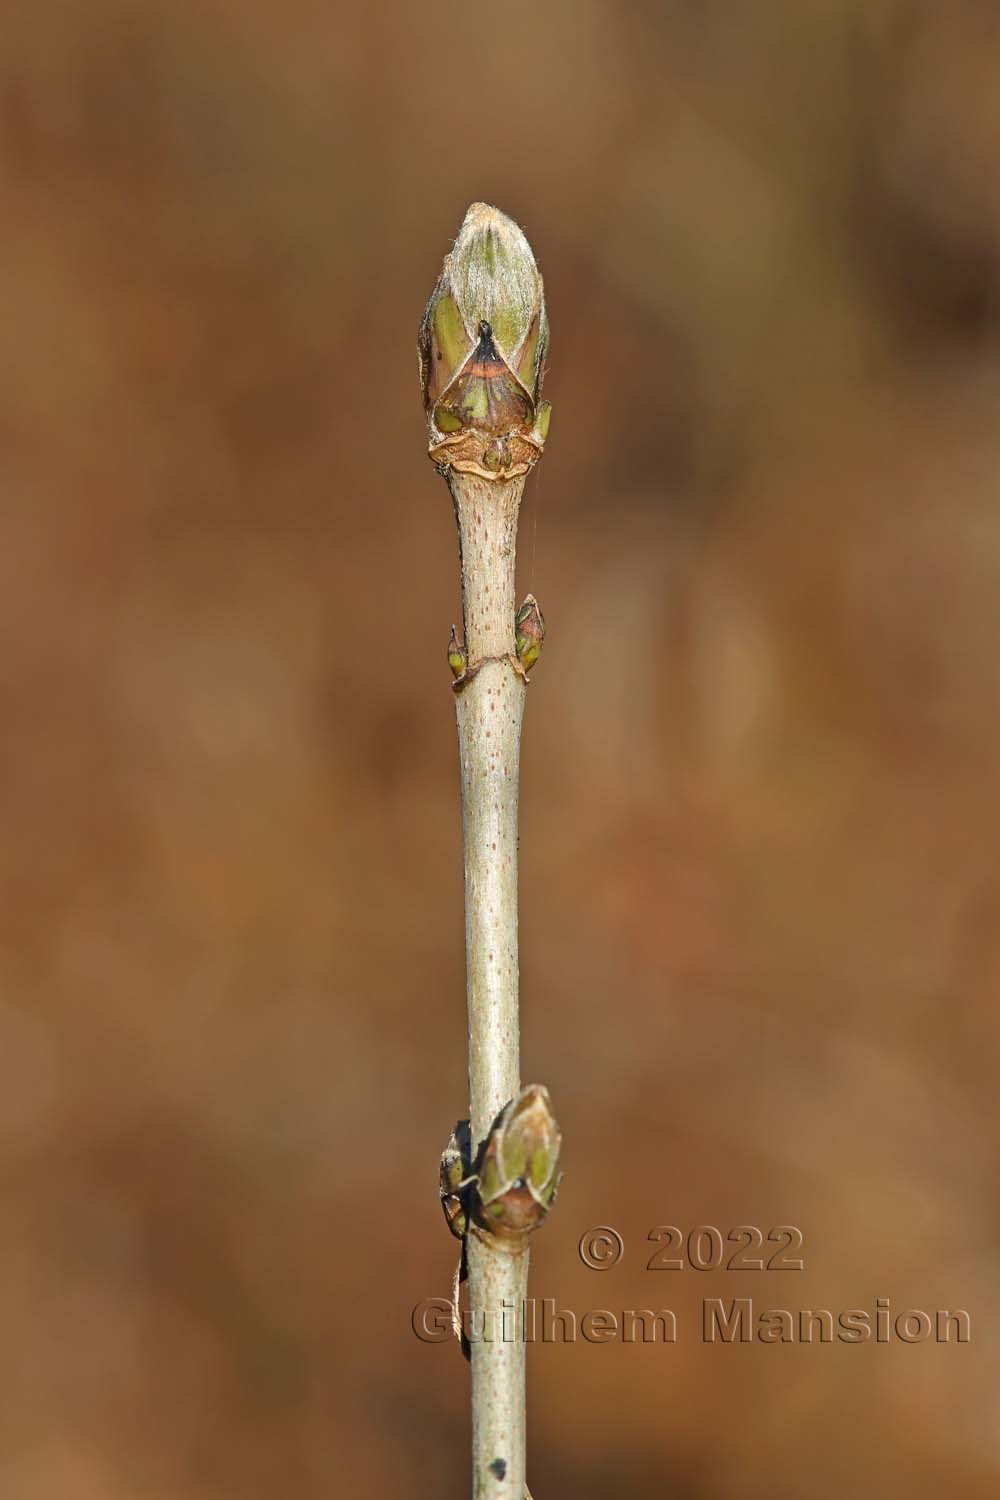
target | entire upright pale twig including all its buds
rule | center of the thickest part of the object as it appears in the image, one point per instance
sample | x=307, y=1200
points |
x=482, y=349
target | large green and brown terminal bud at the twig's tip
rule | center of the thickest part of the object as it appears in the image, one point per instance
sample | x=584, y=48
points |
x=482, y=352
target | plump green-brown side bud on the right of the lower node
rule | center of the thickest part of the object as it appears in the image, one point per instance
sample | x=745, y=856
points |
x=519, y=1174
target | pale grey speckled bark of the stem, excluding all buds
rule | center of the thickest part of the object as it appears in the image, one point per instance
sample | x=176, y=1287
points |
x=491, y=703
